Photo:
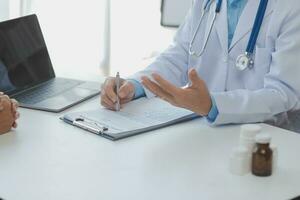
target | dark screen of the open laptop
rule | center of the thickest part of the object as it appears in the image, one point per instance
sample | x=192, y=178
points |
x=24, y=58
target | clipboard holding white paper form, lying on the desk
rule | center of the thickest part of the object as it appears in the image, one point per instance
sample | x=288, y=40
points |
x=130, y=121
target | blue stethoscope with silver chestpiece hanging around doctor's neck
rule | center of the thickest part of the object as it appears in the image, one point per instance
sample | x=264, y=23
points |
x=245, y=60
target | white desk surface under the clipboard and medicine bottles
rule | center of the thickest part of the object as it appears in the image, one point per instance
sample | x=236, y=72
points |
x=46, y=159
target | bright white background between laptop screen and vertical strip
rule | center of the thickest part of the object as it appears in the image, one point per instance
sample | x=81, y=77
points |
x=73, y=31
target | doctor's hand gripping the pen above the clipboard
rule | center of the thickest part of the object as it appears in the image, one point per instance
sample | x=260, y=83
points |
x=109, y=96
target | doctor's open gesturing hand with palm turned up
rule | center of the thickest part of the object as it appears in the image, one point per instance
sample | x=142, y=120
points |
x=195, y=97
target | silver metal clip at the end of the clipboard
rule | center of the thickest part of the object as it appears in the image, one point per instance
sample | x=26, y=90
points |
x=90, y=125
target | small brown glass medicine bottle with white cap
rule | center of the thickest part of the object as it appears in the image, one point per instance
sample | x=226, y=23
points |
x=262, y=156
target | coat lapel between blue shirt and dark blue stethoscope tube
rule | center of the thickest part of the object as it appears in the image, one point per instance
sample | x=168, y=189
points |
x=247, y=19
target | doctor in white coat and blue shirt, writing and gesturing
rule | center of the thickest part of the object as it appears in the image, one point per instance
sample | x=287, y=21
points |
x=210, y=84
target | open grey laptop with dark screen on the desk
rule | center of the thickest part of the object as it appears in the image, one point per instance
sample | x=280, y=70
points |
x=26, y=72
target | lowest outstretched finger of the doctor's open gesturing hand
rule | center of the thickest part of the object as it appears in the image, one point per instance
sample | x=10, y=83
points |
x=157, y=90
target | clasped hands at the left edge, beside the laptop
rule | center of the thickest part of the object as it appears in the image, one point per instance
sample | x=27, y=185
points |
x=8, y=113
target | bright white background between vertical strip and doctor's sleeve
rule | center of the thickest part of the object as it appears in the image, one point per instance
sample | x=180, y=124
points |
x=136, y=34
